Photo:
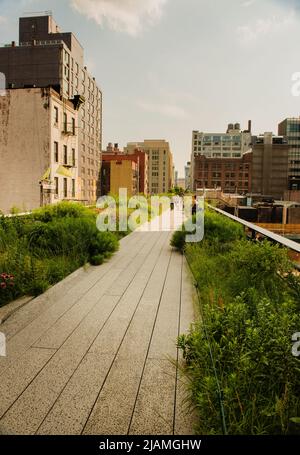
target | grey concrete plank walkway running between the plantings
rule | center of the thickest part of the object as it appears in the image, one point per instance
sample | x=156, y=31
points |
x=95, y=354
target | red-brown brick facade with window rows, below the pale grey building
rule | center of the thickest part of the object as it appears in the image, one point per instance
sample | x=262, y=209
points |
x=230, y=175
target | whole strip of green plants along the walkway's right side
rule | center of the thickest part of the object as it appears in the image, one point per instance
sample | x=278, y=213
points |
x=250, y=307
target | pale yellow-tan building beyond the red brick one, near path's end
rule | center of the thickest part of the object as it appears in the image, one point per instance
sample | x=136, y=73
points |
x=160, y=164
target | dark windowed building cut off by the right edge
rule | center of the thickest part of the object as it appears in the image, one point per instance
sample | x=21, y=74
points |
x=290, y=128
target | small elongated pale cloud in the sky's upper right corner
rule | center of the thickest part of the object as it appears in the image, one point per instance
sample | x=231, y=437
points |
x=249, y=34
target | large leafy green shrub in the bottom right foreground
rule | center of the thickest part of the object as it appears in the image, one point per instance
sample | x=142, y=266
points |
x=257, y=373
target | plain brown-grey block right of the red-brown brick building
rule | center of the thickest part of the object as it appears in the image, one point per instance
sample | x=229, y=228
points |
x=270, y=168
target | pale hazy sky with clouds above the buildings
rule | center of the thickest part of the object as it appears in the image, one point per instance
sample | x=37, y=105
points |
x=168, y=67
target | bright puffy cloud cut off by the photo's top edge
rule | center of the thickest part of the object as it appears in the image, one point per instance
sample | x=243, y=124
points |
x=129, y=16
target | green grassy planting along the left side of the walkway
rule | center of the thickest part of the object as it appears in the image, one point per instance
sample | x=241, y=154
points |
x=41, y=249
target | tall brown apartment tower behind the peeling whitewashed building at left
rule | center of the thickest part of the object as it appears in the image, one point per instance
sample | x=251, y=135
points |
x=47, y=57
